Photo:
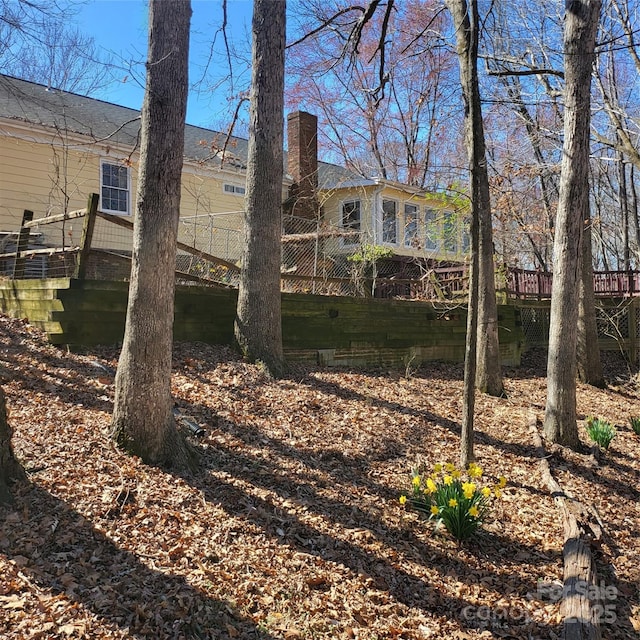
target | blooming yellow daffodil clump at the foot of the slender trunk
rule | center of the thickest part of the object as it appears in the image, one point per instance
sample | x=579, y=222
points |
x=454, y=498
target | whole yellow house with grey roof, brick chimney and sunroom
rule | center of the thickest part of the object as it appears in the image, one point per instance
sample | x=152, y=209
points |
x=57, y=147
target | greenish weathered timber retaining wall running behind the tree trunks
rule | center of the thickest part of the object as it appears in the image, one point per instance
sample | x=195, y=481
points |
x=328, y=330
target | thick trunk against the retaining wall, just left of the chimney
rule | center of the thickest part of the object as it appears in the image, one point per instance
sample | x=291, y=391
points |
x=258, y=327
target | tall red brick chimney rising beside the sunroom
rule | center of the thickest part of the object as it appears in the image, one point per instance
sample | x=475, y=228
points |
x=302, y=164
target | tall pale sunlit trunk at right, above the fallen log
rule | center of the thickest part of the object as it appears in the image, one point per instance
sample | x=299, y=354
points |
x=581, y=23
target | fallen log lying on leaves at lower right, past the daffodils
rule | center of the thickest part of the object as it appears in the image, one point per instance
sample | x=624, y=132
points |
x=581, y=606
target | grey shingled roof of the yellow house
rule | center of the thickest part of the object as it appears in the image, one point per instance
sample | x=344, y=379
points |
x=37, y=104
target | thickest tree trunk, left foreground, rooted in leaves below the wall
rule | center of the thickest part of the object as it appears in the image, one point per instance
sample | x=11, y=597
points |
x=143, y=413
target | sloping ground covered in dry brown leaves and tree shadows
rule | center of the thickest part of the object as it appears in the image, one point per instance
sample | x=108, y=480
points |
x=292, y=527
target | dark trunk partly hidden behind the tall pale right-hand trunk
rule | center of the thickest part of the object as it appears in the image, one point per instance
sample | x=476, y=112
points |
x=588, y=352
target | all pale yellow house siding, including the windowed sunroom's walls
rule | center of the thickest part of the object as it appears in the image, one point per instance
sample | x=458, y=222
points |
x=49, y=175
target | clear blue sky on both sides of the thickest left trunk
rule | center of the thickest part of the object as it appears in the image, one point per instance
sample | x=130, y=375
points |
x=119, y=28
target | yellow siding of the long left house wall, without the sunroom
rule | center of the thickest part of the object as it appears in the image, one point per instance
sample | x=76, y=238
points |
x=48, y=177
